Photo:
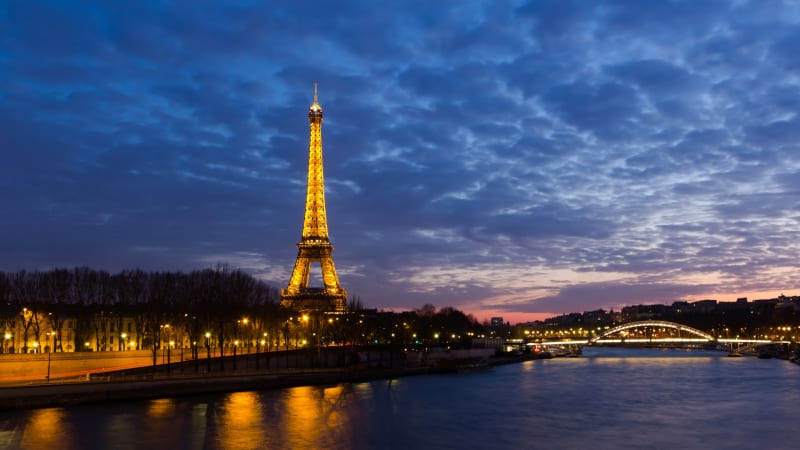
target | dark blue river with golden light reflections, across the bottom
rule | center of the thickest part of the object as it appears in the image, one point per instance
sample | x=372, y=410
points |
x=607, y=398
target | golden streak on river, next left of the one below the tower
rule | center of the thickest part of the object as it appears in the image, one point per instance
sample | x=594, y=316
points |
x=240, y=421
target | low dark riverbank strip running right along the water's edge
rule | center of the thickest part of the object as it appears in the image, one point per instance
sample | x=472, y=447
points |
x=103, y=389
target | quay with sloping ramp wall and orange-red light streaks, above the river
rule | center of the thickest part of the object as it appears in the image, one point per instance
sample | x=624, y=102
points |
x=147, y=382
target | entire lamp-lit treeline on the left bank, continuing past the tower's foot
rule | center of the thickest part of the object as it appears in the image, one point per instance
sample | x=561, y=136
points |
x=214, y=306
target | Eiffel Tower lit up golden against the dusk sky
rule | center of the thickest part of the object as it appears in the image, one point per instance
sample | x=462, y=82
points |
x=314, y=246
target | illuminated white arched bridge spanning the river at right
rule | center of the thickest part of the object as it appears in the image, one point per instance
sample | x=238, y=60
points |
x=659, y=332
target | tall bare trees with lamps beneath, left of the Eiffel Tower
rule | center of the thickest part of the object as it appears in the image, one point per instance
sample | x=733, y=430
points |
x=189, y=304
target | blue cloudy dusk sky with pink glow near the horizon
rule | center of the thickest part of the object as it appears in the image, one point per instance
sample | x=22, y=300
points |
x=509, y=158
